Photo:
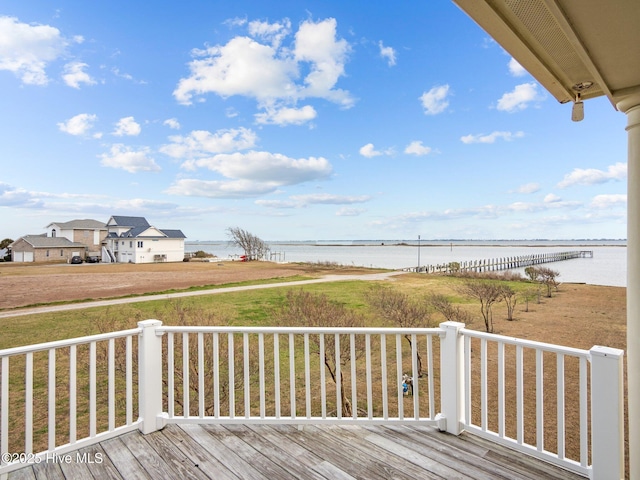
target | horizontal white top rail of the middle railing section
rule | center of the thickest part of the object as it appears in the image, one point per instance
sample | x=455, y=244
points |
x=300, y=330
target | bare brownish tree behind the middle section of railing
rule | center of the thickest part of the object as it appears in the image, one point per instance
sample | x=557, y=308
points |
x=314, y=310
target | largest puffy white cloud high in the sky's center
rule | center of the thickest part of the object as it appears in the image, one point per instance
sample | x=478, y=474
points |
x=271, y=73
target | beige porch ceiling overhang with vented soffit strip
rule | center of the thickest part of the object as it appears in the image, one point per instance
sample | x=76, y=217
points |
x=564, y=43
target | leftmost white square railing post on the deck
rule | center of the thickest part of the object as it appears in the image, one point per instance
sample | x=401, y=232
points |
x=150, y=377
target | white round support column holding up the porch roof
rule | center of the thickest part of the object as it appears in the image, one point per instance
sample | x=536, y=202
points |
x=631, y=107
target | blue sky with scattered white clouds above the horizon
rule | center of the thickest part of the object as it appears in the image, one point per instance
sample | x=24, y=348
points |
x=295, y=120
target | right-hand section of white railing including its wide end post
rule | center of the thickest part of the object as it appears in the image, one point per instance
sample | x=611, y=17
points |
x=531, y=387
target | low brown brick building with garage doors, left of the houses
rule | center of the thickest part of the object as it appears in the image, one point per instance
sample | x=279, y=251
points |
x=40, y=248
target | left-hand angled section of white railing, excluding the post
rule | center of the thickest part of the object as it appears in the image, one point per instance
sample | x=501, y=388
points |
x=58, y=397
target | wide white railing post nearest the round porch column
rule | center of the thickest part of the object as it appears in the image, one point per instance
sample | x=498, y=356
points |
x=607, y=413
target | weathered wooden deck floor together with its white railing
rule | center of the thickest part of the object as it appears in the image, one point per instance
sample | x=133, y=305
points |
x=263, y=402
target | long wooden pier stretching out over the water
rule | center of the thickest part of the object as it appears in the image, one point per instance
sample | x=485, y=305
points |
x=503, y=263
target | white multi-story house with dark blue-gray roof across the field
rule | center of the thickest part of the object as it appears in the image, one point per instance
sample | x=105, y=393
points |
x=135, y=240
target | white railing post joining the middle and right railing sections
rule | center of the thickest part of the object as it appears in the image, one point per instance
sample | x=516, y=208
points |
x=451, y=417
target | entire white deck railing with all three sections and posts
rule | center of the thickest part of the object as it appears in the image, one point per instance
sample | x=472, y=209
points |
x=69, y=394
